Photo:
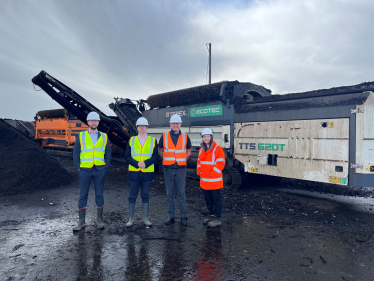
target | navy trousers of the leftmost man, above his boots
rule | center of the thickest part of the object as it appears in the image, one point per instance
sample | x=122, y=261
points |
x=85, y=178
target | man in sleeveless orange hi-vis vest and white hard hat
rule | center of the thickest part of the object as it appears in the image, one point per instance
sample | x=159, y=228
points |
x=175, y=148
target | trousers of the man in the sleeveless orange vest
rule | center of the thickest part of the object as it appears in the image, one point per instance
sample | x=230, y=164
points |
x=176, y=179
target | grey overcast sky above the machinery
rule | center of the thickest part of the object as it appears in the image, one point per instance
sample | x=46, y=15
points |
x=106, y=49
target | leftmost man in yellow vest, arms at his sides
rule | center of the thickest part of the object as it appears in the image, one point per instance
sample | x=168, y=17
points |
x=92, y=157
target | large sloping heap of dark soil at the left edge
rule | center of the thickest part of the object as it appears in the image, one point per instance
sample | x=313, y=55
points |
x=25, y=166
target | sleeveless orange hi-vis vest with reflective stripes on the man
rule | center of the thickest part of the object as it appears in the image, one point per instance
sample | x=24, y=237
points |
x=174, y=153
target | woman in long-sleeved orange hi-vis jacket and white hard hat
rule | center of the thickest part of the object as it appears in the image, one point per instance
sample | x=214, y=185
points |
x=210, y=164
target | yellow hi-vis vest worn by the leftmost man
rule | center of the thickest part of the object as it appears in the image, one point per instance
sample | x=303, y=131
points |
x=92, y=154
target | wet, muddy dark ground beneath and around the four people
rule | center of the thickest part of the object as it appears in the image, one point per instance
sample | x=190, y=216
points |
x=267, y=234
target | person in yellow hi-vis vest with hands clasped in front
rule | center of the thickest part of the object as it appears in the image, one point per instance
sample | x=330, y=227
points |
x=141, y=154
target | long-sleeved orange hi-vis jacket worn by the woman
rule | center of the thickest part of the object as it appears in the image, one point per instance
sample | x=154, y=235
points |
x=209, y=167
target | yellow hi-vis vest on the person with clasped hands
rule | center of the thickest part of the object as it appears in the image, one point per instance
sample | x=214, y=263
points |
x=141, y=152
